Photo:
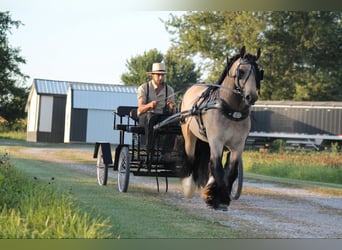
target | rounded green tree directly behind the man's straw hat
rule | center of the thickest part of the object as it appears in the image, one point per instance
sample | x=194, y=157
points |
x=181, y=71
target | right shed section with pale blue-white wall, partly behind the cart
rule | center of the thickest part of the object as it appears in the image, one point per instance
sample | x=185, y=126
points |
x=89, y=111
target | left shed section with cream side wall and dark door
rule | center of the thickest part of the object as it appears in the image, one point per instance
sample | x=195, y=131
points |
x=46, y=110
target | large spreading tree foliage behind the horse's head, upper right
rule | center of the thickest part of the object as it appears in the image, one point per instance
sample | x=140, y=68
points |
x=301, y=51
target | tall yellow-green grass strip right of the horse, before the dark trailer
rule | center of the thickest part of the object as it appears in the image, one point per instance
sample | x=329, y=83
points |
x=310, y=166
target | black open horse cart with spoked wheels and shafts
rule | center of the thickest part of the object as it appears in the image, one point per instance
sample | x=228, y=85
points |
x=136, y=159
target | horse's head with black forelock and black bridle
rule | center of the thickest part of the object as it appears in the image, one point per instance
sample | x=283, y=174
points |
x=247, y=76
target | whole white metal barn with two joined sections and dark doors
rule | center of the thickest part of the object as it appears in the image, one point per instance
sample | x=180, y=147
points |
x=64, y=111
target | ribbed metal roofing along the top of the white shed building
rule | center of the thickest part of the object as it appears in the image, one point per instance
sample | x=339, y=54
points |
x=53, y=87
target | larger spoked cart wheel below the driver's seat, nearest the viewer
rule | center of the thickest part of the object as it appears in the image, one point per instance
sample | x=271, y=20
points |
x=123, y=169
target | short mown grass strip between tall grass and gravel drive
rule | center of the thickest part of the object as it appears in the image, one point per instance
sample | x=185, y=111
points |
x=140, y=213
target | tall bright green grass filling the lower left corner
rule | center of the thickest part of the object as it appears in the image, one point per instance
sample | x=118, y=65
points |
x=31, y=209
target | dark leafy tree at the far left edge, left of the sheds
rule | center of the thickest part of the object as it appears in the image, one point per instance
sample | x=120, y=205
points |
x=12, y=96
